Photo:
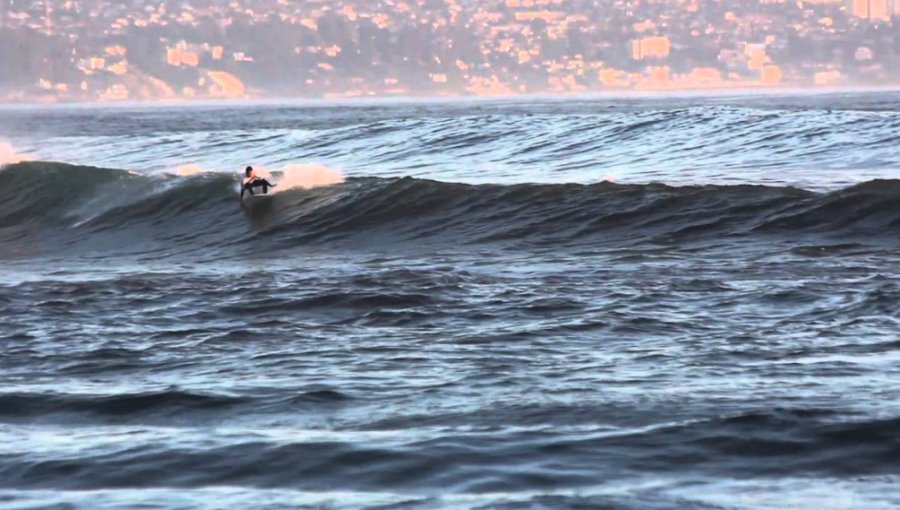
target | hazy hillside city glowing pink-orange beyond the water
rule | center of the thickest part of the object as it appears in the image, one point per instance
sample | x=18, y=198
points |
x=101, y=50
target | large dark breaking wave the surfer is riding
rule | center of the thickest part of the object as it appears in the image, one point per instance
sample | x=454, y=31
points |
x=108, y=208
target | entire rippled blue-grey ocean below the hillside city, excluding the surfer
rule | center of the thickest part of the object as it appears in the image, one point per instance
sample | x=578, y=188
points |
x=635, y=302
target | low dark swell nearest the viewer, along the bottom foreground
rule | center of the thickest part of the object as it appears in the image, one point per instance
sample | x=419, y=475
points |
x=743, y=445
